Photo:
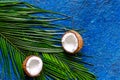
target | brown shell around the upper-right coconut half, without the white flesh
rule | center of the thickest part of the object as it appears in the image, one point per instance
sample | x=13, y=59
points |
x=80, y=41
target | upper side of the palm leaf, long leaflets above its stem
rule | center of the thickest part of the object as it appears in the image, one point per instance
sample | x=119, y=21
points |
x=22, y=34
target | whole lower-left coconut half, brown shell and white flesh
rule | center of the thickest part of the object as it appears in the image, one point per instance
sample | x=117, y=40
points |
x=32, y=66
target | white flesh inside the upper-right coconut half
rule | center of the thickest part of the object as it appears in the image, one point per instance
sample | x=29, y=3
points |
x=70, y=42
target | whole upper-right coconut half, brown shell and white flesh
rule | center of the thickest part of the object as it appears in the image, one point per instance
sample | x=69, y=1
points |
x=72, y=41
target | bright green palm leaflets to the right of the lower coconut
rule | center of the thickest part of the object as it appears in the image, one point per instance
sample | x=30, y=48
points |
x=64, y=68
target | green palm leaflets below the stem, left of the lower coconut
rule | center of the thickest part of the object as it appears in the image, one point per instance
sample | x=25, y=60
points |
x=10, y=54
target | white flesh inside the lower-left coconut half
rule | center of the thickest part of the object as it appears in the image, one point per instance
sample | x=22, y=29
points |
x=34, y=65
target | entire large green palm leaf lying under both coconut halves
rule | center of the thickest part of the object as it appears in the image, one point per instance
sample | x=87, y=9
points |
x=22, y=33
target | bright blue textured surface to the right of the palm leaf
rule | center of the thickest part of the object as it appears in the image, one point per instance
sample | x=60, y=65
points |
x=101, y=21
